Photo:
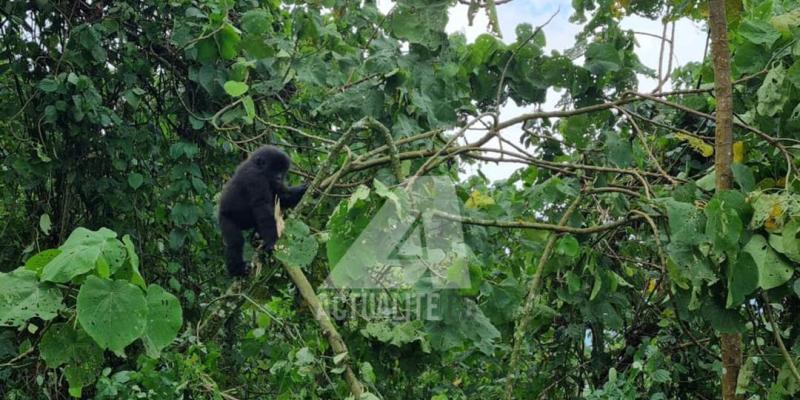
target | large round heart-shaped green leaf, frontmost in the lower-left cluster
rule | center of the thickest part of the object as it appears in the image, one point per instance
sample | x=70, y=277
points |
x=113, y=313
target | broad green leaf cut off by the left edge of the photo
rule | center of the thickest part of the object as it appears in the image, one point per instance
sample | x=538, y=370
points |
x=23, y=297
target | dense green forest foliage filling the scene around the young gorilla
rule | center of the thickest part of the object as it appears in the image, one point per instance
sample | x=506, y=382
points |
x=605, y=267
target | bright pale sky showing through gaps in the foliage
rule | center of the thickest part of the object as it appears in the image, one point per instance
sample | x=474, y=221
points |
x=560, y=34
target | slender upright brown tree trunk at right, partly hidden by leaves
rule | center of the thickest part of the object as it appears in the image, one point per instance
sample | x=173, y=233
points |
x=730, y=343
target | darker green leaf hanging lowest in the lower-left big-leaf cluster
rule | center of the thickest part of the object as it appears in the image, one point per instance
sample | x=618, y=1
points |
x=62, y=344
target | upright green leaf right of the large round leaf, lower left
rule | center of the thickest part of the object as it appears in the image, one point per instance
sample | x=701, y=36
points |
x=164, y=319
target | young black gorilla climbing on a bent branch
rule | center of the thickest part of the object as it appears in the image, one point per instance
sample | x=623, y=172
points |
x=248, y=201
